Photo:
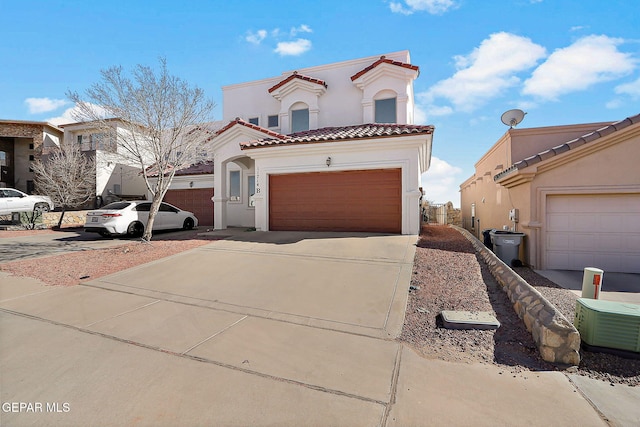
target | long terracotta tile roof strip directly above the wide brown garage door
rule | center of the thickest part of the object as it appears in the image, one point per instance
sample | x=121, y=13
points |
x=343, y=133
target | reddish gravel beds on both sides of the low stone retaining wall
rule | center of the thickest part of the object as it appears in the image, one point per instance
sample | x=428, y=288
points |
x=449, y=276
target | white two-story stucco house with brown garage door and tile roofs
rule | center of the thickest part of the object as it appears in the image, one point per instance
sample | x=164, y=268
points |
x=302, y=151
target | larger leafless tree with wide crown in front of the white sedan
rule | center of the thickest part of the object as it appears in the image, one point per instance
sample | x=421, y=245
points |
x=162, y=118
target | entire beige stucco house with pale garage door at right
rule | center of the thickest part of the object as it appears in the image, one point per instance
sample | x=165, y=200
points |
x=576, y=190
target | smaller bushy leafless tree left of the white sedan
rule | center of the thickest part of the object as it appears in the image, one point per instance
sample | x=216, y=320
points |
x=67, y=176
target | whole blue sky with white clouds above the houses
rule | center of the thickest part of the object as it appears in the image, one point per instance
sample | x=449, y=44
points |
x=562, y=61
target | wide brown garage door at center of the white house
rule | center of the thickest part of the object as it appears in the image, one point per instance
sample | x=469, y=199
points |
x=366, y=200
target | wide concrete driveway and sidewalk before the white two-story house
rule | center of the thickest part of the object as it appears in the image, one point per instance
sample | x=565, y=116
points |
x=260, y=329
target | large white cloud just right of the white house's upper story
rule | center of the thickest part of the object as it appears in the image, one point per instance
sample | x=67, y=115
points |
x=487, y=71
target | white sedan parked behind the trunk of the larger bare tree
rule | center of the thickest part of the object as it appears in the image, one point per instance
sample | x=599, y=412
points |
x=131, y=217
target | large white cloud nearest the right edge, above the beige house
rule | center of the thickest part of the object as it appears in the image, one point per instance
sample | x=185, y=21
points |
x=590, y=60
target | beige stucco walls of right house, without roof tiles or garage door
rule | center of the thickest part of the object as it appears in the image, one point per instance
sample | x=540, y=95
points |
x=603, y=166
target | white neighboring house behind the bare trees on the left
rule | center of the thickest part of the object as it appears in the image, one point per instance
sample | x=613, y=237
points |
x=114, y=176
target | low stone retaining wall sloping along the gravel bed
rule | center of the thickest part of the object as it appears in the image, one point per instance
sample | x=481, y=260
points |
x=557, y=339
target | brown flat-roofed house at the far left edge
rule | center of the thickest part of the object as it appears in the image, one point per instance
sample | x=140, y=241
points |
x=22, y=142
